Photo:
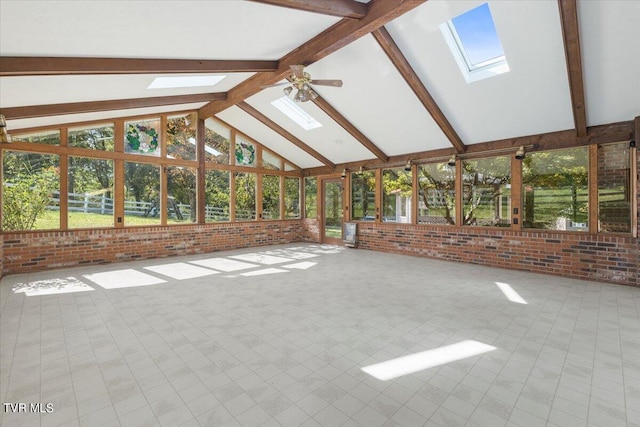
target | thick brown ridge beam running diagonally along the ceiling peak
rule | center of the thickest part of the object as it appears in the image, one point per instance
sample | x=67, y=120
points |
x=339, y=35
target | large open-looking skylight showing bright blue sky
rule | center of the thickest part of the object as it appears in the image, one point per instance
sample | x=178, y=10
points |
x=475, y=45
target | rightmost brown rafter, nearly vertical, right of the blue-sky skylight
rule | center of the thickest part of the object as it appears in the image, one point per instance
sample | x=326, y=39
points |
x=571, y=38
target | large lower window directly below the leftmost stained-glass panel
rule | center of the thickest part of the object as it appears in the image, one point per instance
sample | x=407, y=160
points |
x=142, y=194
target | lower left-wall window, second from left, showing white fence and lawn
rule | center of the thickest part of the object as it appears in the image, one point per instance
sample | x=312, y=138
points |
x=90, y=193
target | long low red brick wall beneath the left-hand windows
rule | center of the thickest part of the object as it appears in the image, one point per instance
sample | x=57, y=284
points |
x=36, y=251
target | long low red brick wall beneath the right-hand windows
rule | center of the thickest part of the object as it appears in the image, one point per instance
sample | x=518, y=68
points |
x=603, y=258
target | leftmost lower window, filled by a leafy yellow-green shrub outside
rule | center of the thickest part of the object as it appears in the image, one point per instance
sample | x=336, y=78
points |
x=30, y=191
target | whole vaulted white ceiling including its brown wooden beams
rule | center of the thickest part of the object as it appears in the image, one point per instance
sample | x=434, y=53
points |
x=573, y=71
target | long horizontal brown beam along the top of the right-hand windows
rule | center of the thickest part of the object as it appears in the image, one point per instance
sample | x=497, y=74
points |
x=603, y=134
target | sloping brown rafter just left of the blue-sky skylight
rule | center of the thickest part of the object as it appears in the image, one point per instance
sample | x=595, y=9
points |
x=398, y=59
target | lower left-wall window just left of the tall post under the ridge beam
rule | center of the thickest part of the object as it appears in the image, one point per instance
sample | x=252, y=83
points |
x=181, y=197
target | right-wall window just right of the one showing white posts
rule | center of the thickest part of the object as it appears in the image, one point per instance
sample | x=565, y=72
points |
x=437, y=193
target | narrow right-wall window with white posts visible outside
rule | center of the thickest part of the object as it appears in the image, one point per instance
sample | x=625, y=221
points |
x=396, y=195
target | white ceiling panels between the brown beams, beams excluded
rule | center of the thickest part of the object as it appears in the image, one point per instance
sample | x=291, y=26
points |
x=532, y=98
